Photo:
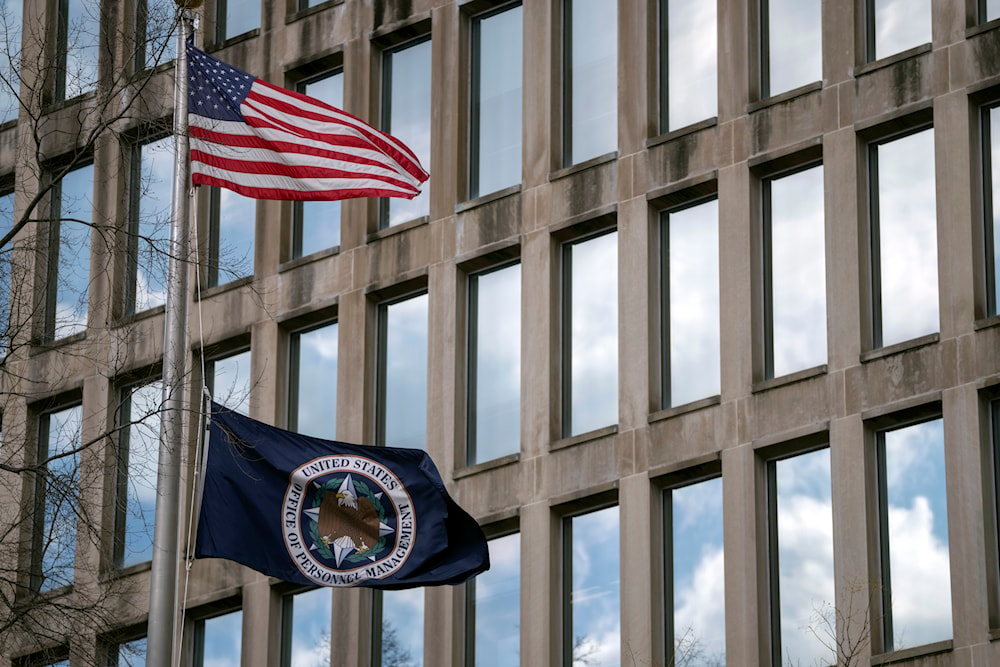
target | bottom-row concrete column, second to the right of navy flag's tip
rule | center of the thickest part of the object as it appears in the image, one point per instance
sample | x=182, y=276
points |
x=641, y=584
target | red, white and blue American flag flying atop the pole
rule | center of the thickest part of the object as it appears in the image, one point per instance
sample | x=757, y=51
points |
x=266, y=142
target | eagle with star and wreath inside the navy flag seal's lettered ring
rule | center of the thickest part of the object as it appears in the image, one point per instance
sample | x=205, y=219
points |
x=347, y=521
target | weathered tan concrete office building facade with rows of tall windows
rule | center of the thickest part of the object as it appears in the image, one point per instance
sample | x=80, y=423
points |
x=678, y=340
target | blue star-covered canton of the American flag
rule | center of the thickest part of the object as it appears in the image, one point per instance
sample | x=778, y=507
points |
x=215, y=89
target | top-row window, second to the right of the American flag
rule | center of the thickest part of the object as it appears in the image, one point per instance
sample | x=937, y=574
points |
x=590, y=79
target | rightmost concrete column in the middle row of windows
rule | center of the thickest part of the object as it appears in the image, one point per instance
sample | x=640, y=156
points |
x=956, y=248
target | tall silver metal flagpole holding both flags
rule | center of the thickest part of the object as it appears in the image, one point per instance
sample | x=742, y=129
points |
x=161, y=631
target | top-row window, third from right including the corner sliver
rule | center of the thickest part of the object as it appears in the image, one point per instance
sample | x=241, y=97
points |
x=792, y=42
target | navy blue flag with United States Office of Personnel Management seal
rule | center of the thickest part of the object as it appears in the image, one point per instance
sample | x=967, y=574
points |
x=318, y=512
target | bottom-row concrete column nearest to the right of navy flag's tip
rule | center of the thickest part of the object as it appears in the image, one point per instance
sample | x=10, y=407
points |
x=540, y=587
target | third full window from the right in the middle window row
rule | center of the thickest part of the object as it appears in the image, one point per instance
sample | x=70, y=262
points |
x=690, y=312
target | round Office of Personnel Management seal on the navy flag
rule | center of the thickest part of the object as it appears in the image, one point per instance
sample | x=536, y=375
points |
x=347, y=519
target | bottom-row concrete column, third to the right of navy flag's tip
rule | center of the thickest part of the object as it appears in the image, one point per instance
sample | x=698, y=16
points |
x=741, y=568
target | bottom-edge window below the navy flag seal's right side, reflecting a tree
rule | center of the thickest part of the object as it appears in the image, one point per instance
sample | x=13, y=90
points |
x=398, y=628
